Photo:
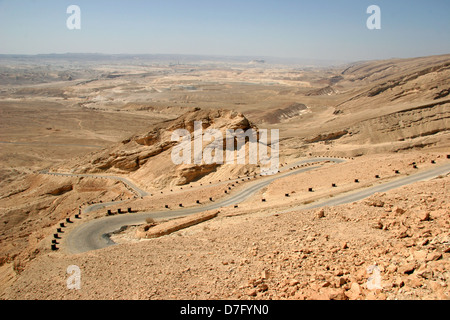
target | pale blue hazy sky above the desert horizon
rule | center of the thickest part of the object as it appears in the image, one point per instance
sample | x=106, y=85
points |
x=319, y=29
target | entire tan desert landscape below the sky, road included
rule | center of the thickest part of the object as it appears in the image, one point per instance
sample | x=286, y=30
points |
x=357, y=210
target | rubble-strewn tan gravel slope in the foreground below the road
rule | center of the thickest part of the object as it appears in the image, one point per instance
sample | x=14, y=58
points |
x=317, y=254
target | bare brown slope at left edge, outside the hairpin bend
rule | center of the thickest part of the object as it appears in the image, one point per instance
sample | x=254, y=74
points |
x=31, y=206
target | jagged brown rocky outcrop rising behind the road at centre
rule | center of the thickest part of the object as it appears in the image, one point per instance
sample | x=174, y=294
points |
x=147, y=157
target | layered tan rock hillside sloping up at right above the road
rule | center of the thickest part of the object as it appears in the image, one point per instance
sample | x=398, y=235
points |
x=386, y=106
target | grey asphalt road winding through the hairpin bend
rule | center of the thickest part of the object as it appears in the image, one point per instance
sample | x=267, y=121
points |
x=93, y=235
